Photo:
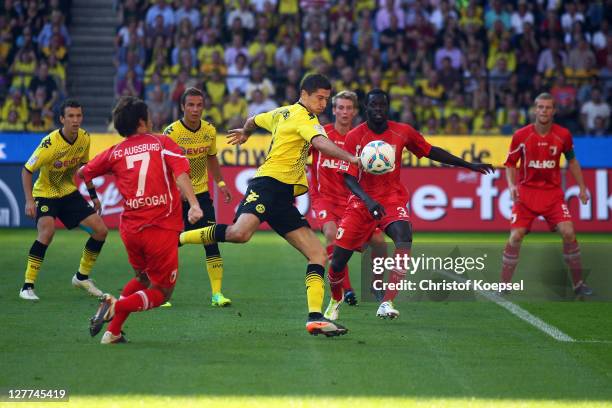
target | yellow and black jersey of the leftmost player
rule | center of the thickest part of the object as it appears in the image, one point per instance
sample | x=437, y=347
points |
x=58, y=160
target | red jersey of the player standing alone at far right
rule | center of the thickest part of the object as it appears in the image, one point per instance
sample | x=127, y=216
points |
x=539, y=155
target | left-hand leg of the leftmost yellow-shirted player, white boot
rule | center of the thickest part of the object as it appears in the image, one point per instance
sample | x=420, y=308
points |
x=45, y=226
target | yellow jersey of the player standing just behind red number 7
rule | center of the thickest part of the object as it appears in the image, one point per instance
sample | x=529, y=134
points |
x=197, y=145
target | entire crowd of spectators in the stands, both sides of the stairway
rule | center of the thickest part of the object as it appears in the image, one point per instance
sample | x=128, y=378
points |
x=451, y=67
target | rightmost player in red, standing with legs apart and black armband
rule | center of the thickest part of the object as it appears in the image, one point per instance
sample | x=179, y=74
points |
x=537, y=149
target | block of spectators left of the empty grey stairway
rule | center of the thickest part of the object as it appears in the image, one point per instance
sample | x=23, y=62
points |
x=34, y=43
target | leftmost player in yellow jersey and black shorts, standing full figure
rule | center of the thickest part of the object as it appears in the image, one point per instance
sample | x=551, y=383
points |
x=55, y=195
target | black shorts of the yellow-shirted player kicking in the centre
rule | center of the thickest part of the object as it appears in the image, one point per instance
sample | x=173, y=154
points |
x=272, y=202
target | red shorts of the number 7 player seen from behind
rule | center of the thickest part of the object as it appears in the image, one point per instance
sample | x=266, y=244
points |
x=154, y=251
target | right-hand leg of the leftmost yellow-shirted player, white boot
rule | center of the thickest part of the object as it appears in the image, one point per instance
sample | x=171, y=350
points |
x=98, y=231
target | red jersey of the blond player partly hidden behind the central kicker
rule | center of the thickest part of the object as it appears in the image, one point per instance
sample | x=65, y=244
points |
x=326, y=180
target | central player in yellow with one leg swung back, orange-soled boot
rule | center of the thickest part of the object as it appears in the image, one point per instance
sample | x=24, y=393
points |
x=270, y=194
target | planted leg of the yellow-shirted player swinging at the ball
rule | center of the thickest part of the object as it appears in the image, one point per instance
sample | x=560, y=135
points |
x=305, y=241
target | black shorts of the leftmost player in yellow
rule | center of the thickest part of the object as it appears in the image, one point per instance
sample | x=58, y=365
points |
x=70, y=209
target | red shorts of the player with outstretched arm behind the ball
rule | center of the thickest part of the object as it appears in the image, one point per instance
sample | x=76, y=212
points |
x=358, y=225
